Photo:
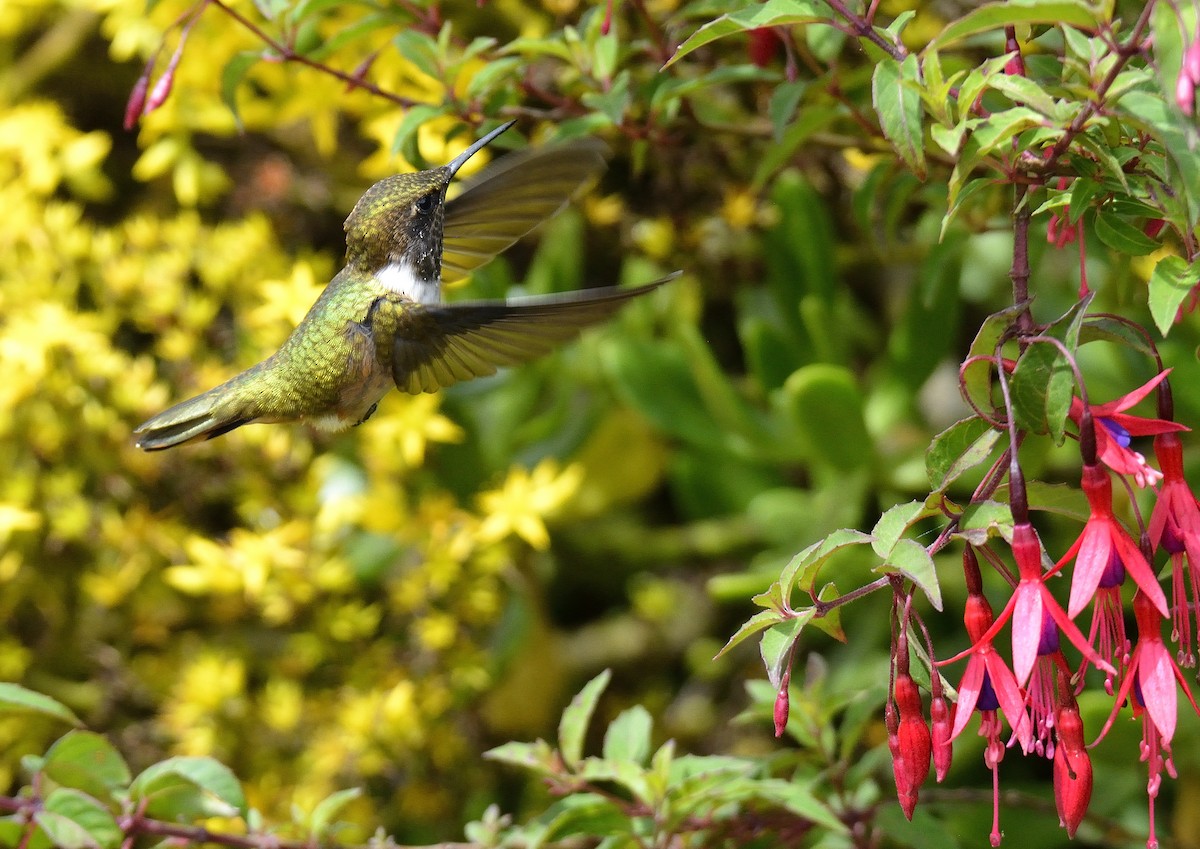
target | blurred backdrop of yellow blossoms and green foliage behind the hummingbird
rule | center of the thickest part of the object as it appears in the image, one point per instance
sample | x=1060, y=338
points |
x=376, y=609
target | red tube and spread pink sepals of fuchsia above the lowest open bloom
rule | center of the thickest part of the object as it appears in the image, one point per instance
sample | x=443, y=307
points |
x=1101, y=540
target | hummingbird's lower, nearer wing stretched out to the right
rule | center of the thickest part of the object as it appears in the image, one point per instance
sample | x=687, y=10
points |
x=439, y=346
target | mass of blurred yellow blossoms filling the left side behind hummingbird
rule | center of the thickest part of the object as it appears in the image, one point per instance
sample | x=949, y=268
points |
x=314, y=611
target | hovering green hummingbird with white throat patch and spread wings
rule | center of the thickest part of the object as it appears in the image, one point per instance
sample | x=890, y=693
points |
x=381, y=322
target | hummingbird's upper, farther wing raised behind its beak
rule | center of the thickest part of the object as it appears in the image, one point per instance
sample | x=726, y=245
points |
x=509, y=198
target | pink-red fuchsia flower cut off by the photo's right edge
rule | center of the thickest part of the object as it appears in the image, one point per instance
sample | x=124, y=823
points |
x=1175, y=527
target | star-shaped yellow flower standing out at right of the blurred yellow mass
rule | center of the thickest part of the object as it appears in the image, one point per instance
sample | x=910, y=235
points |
x=525, y=501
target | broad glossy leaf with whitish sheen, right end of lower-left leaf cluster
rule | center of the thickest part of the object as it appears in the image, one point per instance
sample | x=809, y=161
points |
x=189, y=788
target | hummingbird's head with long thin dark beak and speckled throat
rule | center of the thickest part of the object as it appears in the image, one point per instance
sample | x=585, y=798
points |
x=398, y=222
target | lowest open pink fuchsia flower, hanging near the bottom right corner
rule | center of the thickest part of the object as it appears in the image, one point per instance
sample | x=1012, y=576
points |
x=1153, y=676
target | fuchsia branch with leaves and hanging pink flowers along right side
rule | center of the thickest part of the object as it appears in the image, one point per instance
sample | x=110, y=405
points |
x=1024, y=382
